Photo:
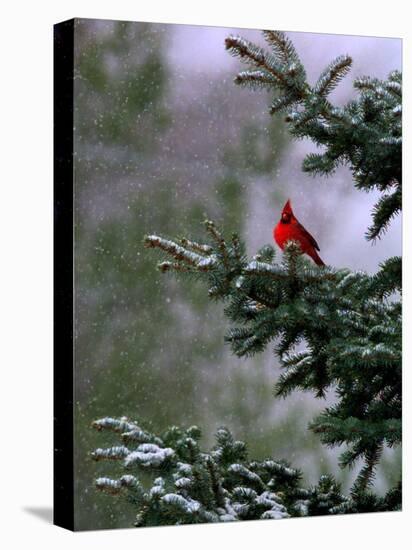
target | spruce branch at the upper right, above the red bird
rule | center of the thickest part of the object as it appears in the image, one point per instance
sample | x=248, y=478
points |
x=365, y=134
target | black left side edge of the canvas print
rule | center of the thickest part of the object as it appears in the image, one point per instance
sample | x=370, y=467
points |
x=63, y=445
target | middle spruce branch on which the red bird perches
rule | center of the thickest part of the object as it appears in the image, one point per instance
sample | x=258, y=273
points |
x=351, y=338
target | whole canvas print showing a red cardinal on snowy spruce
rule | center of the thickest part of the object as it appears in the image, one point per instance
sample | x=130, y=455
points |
x=237, y=275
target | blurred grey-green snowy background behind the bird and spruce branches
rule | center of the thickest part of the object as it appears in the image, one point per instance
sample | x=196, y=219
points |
x=163, y=139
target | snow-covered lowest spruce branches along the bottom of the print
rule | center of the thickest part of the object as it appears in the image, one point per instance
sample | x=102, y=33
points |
x=168, y=479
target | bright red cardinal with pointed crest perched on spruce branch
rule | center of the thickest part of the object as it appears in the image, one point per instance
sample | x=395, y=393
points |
x=288, y=228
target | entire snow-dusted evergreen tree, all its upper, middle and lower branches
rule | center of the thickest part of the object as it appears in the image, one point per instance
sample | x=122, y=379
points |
x=348, y=323
